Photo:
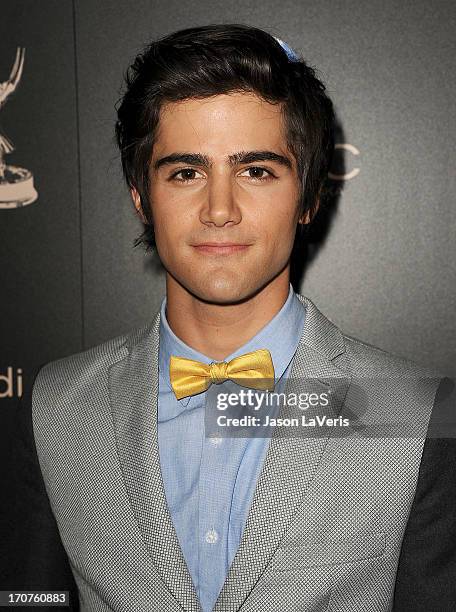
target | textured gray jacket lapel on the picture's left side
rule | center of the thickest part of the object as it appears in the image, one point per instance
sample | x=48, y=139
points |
x=133, y=385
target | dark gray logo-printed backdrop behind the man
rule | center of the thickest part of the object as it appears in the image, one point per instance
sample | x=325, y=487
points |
x=382, y=265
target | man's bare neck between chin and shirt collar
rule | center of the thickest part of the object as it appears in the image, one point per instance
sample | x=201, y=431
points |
x=217, y=330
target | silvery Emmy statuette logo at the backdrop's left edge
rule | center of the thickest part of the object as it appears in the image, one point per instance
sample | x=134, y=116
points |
x=16, y=184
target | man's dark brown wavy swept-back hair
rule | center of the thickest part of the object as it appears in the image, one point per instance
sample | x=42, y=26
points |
x=217, y=59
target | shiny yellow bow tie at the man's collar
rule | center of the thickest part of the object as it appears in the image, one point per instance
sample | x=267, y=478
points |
x=189, y=377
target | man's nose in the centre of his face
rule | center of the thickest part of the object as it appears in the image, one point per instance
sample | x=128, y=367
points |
x=220, y=207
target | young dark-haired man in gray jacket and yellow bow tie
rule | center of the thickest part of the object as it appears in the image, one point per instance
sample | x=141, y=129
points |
x=226, y=138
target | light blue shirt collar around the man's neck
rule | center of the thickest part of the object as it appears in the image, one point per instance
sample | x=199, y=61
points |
x=280, y=336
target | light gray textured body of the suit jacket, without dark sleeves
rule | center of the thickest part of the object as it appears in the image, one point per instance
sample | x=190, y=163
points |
x=327, y=521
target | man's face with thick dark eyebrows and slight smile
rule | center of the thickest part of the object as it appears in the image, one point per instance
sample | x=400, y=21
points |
x=221, y=174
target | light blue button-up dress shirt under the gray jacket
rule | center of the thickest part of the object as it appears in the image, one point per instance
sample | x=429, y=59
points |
x=210, y=482
